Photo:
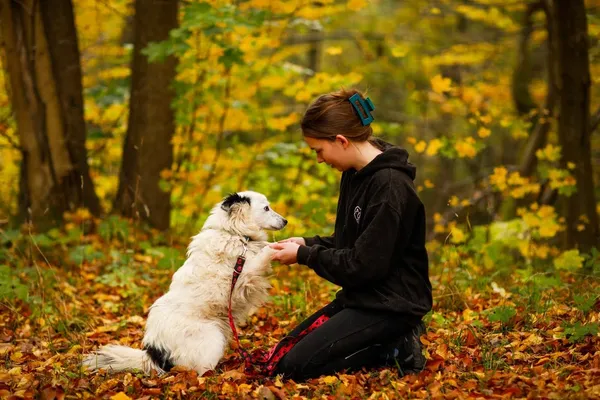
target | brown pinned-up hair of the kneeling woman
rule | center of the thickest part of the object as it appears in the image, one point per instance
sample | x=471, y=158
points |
x=332, y=114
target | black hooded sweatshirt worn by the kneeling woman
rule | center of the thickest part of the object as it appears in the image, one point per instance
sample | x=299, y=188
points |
x=377, y=252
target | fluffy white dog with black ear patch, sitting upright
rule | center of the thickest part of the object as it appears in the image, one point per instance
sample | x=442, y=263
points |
x=189, y=325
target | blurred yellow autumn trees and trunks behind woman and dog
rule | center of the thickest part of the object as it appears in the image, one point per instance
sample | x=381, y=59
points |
x=155, y=110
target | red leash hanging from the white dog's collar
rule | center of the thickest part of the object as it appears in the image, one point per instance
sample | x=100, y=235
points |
x=260, y=362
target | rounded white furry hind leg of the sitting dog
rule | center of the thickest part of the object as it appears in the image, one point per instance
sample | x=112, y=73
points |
x=201, y=347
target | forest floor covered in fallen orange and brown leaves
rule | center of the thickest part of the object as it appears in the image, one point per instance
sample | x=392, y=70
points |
x=534, y=345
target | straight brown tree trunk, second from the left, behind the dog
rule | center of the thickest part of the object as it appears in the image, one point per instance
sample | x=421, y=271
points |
x=147, y=149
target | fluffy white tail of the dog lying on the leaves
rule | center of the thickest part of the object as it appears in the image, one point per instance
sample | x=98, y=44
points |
x=119, y=358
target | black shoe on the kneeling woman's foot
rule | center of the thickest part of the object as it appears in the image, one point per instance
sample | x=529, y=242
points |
x=406, y=352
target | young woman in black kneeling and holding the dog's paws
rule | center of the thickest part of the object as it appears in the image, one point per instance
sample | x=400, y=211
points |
x=377, y=252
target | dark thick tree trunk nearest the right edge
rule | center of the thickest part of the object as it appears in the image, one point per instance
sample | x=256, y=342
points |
x=574, y=121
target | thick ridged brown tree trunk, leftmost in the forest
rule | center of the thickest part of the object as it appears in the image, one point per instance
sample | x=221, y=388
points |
x=42, y=59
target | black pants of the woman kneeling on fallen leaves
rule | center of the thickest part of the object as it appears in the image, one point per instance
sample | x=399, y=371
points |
x=349, y=340
